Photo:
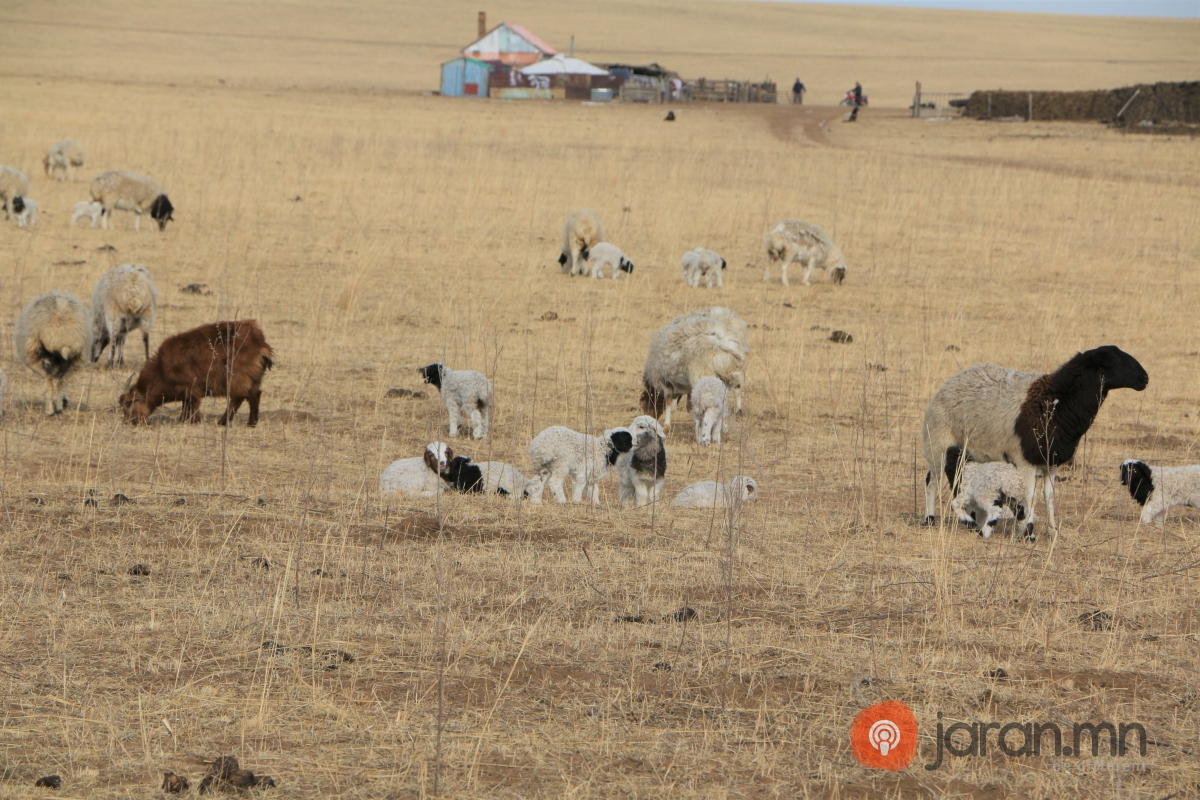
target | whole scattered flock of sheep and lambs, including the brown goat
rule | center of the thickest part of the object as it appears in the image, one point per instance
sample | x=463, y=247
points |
x=992, y=431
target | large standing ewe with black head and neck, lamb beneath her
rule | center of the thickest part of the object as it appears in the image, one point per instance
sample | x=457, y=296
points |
x=1034, y=422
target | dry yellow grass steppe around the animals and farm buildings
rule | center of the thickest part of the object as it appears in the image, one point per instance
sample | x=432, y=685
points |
x=511, y=651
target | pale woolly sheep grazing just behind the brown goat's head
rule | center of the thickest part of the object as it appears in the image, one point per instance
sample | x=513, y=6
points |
x=125, y=299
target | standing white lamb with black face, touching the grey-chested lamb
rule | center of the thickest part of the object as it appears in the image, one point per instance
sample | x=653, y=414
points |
x=559, y=453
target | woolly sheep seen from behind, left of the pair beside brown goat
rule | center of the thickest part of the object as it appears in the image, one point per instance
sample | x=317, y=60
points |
x=52, y=339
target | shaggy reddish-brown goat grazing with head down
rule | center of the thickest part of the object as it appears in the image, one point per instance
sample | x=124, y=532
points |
x=199, y=364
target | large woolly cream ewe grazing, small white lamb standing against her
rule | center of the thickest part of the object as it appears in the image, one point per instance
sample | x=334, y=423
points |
x=707, y=342
